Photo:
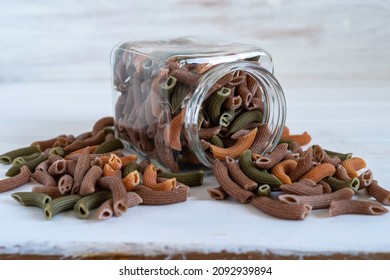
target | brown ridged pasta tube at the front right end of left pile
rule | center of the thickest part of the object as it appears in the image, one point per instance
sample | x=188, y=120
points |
x=151, y=197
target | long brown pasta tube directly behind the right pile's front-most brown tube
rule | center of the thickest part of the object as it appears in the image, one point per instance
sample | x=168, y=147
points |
x=318, y=201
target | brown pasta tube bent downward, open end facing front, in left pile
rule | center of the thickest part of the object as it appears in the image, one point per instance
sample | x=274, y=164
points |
x=119, y=194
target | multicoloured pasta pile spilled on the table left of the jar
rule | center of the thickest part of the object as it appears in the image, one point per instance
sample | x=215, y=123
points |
x=90, y=171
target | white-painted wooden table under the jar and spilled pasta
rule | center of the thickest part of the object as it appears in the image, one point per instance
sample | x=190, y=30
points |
x=355, y=119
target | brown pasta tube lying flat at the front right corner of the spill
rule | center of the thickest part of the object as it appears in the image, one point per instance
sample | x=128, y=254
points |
x=362, y=207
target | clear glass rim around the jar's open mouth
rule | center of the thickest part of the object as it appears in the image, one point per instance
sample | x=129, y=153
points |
x=273, y=98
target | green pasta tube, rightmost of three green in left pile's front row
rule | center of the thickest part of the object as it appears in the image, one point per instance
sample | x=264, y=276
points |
x=85, y=204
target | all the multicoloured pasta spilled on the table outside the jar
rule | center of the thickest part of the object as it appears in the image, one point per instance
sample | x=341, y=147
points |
x=91, y=171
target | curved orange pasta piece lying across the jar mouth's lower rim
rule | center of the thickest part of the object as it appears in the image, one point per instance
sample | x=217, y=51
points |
x=237, y=149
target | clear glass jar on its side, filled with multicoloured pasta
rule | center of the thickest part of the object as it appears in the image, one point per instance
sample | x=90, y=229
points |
x=187, y=101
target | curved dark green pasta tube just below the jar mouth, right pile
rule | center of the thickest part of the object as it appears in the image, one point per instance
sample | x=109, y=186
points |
x=259, y=176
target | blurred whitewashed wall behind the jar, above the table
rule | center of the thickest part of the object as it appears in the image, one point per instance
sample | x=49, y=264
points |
x=320, y=42
